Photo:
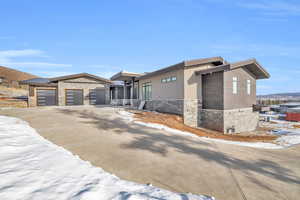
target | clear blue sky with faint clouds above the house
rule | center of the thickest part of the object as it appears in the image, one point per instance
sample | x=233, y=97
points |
x=53, y=38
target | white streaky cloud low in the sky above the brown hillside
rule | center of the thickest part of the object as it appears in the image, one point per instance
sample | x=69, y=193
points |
x=8, y=58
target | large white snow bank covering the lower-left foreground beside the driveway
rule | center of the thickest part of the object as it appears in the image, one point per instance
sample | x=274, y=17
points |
x=34, y=168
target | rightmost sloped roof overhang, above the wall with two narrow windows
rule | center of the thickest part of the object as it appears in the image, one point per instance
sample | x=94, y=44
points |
x=253, y=66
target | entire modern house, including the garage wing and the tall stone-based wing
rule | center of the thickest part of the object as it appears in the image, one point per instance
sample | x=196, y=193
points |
x=209, y=93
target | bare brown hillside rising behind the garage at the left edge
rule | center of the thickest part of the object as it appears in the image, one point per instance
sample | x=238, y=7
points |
x=14, y=75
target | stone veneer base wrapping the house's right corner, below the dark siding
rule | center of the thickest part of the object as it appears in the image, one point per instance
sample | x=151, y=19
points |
x=242, y=120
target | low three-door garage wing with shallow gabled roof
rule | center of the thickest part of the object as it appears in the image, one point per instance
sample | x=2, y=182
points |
x=76, y=89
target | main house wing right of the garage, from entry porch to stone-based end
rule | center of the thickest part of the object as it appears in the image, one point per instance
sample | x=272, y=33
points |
x=209, y=93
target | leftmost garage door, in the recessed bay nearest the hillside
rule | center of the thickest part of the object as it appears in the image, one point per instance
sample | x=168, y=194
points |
x=46, y=97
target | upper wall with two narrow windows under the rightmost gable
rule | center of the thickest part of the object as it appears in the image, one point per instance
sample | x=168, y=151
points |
x=241, y=99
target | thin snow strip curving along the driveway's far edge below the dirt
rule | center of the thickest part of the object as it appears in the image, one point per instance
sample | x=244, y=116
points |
x=287, y=137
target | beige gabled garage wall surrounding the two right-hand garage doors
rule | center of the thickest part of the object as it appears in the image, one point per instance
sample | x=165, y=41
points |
x=80, y=83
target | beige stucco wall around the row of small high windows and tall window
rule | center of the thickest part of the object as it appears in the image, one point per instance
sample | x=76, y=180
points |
x=165, y=91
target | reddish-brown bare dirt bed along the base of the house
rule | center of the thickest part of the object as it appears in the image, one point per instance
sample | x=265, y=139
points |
x=176, y=122
